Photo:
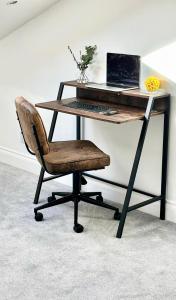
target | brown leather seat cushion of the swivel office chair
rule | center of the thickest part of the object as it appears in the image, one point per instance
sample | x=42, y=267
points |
x=72, y=156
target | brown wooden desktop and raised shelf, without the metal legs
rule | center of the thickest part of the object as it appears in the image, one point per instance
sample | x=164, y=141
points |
x=129, y=108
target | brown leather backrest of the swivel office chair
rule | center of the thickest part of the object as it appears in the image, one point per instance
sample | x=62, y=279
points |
x=29, y=117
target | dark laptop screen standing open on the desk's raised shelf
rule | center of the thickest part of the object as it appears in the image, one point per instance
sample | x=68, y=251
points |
x=123, y=68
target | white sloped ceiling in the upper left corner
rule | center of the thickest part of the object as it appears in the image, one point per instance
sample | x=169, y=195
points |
x=14, y=16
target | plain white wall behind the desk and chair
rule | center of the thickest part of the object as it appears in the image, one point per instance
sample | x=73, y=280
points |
x=34, y=59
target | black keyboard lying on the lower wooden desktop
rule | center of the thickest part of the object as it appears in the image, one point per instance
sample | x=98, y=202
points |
x=88, y=107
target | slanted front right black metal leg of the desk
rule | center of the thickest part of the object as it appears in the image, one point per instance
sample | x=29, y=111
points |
x=135, y=167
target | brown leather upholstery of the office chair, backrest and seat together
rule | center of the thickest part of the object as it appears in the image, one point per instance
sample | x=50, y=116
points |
x=59, y=157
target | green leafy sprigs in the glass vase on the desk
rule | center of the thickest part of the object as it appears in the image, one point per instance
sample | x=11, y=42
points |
x=85, y=59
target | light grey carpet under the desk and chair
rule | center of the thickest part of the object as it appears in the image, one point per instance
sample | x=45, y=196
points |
x=47, y=260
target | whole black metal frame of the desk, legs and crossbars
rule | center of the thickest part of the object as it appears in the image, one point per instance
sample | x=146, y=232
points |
x=130, y=187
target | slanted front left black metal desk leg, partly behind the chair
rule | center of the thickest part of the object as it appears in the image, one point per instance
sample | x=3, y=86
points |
x=50, y=136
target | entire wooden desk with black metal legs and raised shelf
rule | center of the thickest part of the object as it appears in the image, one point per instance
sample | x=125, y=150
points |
x=132, y=105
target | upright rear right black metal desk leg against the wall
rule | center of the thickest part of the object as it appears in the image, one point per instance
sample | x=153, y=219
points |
x=164, y=165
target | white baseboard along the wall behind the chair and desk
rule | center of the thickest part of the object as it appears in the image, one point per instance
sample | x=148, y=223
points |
x=115, y=194
